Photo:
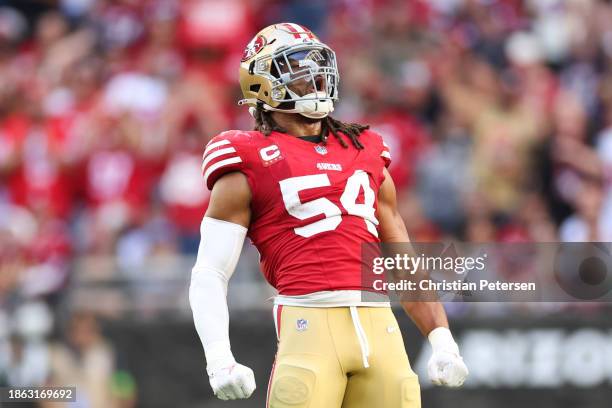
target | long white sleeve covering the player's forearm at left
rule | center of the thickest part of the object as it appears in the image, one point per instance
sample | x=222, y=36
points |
x=220, y=247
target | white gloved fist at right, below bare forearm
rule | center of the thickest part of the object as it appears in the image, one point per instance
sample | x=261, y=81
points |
x=445, y=367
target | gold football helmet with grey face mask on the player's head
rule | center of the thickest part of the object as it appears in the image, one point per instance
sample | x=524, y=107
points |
x=286, y=68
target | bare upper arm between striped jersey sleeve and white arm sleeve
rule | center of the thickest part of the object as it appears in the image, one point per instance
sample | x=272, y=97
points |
x=230, y=199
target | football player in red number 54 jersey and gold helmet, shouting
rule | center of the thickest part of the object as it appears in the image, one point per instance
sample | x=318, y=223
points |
x=308, y=190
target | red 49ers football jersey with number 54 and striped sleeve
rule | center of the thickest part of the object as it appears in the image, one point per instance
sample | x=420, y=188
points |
x=313, y=205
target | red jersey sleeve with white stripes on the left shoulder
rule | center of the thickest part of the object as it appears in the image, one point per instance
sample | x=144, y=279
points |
x=223, y=154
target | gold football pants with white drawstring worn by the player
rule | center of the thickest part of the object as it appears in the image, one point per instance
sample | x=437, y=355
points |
x=322, y=358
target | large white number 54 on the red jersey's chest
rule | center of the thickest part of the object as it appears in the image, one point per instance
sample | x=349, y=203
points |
x=291, y=187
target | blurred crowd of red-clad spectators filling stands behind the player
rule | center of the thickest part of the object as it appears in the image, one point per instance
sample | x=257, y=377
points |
x=498, y=114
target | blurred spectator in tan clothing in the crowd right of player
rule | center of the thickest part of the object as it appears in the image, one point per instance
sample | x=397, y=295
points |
x=504, y=132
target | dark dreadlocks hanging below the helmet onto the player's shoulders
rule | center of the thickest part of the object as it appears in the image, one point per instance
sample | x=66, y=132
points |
x=266, y=125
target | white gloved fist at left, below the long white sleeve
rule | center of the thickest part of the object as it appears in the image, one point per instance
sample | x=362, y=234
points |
x=230, y=380
